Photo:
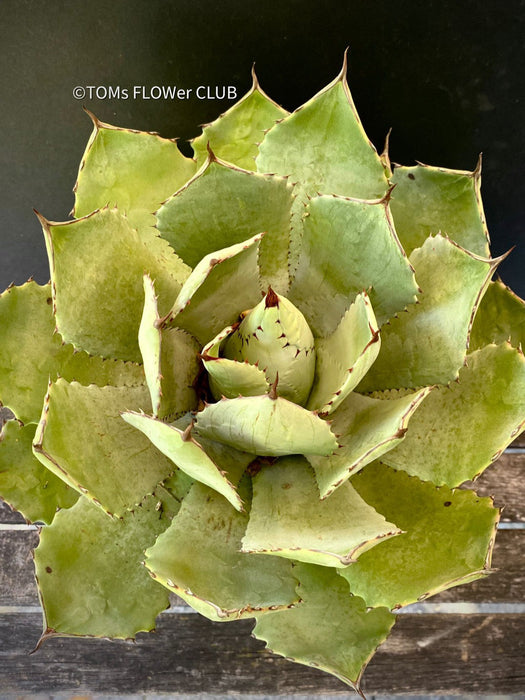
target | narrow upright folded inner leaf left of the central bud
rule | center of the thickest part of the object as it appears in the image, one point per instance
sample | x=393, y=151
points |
x=170, y=360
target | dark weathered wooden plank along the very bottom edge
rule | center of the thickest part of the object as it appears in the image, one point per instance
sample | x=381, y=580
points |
x=446, y=654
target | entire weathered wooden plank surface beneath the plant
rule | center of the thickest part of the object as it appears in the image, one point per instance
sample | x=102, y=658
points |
x=467, y=640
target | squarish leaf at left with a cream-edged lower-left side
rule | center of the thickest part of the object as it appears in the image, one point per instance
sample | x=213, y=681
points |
x=83, y=440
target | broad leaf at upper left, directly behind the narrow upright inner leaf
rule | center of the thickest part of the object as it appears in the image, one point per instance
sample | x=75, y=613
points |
x=102, y=252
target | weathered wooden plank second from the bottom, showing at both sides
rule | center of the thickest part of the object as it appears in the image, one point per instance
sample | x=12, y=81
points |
x=506, y=585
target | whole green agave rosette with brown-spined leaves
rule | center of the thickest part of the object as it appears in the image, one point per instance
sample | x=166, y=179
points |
x=256, y=379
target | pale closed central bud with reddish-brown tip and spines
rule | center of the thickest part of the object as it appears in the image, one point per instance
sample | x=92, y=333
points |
x=275, y=336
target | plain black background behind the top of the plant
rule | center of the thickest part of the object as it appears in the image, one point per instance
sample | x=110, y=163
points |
x=447, y=77
